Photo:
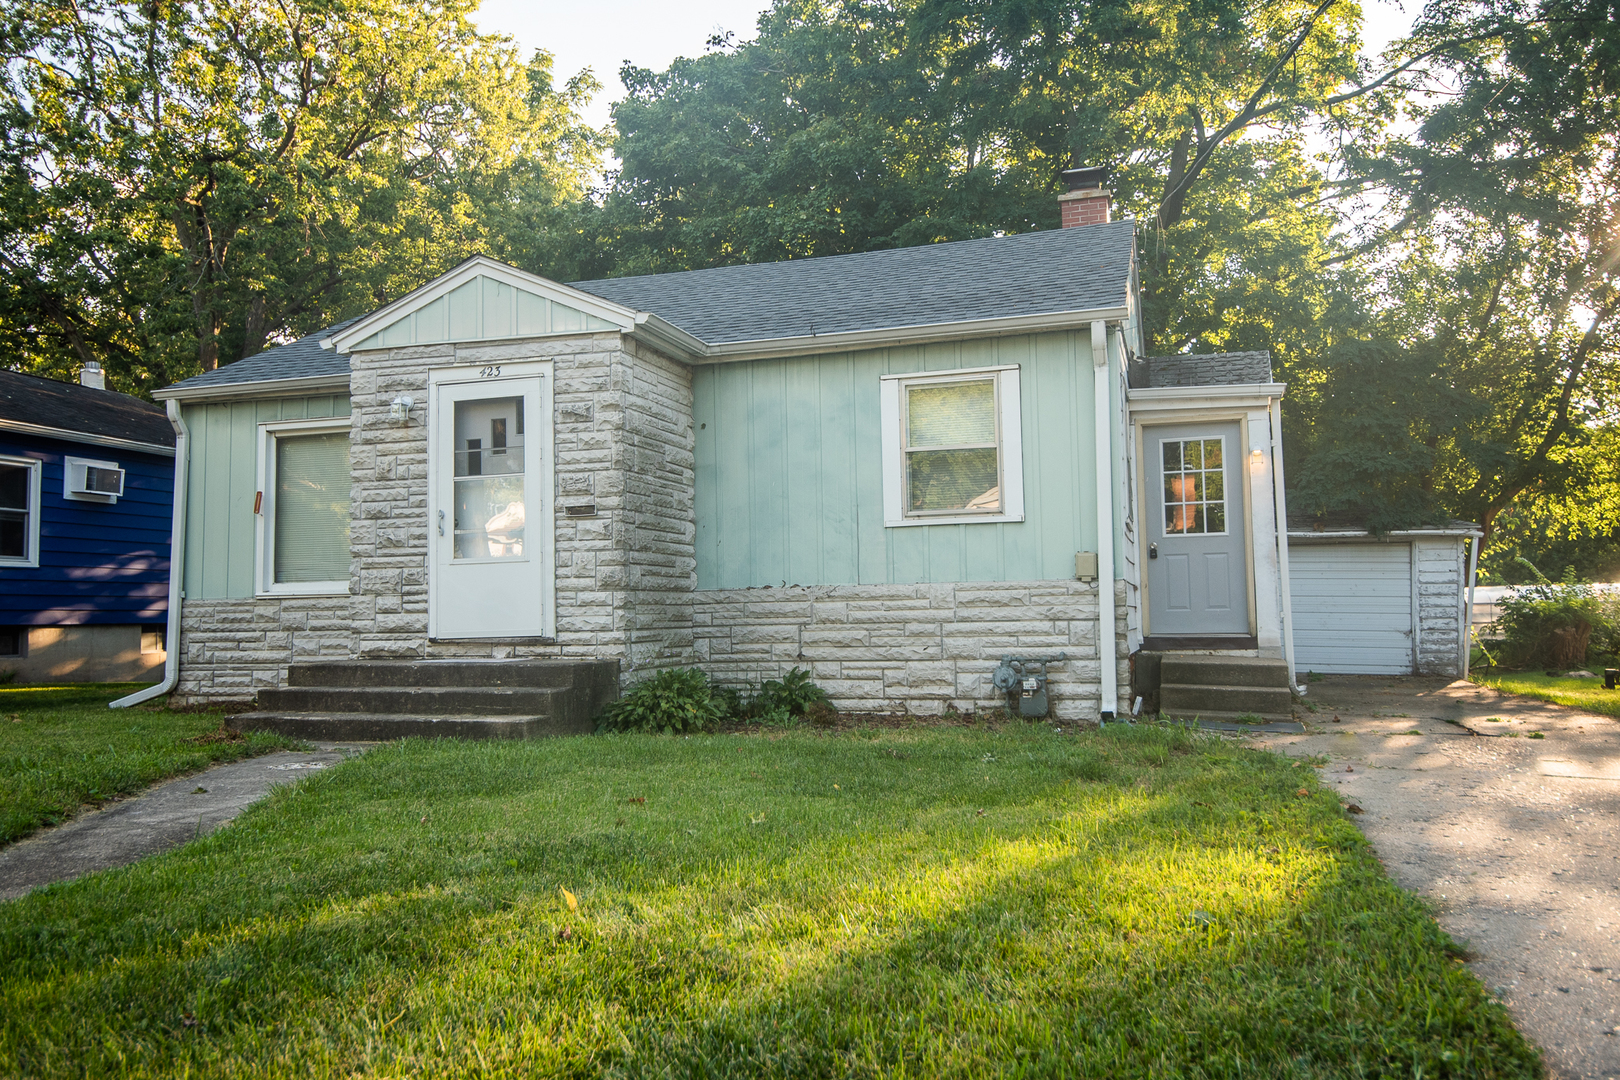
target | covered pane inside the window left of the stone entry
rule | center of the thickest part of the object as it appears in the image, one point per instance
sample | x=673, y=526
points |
x=312, y=508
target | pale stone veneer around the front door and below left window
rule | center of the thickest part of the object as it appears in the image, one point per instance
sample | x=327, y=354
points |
x=623, y=440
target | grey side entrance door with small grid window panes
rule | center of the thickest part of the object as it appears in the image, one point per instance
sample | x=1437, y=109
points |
x=1198, y=574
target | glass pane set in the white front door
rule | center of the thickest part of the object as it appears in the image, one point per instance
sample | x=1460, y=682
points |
x=492, y=503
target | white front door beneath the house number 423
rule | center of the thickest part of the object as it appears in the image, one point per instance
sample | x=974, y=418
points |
x=490, y=516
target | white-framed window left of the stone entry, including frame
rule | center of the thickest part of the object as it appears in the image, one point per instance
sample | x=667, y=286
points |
x=304, y=508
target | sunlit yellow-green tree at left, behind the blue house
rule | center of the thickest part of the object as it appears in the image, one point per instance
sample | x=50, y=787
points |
x=182, y=184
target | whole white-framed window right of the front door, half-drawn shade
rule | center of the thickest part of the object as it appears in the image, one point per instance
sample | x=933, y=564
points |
x=953, y=448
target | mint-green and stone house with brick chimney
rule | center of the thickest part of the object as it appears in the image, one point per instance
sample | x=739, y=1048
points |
x=890, y=469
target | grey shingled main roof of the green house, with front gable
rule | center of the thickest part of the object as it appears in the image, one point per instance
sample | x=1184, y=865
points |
x=995, y=286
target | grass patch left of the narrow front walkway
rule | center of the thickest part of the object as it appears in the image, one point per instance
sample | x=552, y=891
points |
x=62, y=749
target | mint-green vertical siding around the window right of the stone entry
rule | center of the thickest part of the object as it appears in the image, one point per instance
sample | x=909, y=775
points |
x=790, y=470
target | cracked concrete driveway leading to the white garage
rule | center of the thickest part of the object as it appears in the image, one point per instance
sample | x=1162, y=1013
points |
x=1516, y=841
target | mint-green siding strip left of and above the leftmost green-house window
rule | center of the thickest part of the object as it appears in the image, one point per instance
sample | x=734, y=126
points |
x=223, y=482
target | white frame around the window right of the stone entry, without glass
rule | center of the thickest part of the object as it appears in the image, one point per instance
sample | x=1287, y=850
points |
x=1010, y=433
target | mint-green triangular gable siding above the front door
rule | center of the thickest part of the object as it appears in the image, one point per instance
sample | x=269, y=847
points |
x=484, y=310
